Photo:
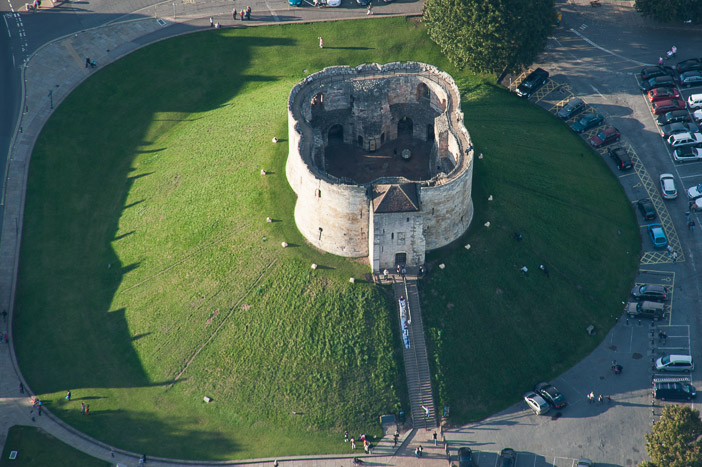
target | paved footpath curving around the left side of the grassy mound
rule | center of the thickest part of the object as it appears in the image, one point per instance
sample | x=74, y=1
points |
x=50, y=74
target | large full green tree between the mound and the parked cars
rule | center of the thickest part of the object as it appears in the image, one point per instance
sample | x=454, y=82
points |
x=490, y=35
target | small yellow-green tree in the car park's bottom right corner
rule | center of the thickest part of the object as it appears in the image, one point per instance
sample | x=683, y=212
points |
x=673, y=441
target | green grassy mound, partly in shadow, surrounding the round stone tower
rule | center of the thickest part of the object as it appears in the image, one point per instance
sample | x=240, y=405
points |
x=149, y=277
